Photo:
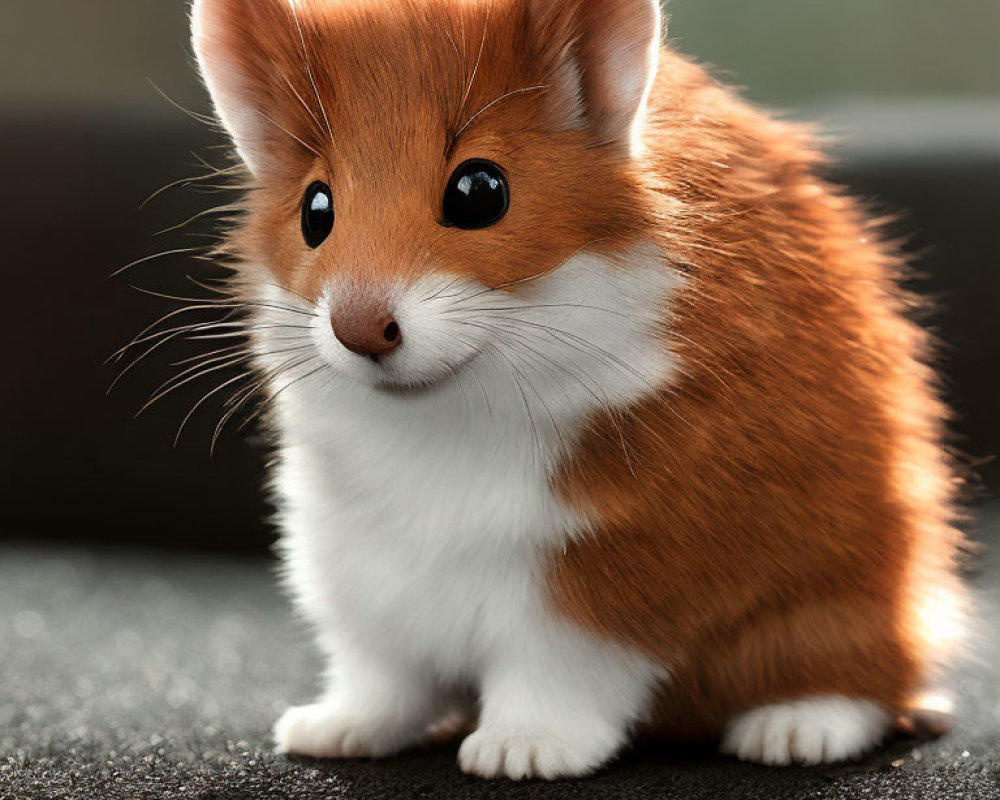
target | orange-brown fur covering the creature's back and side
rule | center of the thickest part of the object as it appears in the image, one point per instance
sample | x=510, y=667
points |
x=783, y=517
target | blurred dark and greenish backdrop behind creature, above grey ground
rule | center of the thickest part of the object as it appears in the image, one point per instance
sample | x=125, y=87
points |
x=911, y=89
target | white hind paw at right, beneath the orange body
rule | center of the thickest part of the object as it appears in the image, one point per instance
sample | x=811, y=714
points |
x=814, y=730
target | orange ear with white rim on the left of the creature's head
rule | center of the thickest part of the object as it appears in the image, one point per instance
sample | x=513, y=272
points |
x=236, y=43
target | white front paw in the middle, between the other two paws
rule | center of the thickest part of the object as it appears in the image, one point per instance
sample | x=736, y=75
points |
x=492, y=753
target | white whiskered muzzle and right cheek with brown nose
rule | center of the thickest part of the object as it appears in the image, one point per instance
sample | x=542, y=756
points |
x=587, y=336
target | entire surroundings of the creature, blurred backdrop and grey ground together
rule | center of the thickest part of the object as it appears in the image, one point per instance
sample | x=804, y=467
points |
x=156, y=669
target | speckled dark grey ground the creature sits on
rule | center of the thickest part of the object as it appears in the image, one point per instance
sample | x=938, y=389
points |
x=138, y=675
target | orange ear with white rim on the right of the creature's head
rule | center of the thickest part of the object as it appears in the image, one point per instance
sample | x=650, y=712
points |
x=603, y=59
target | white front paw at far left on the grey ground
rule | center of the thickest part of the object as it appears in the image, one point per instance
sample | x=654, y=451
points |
x=323, y=731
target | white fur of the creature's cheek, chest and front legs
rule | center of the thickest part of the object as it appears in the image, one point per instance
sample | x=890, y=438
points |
x=416, y=525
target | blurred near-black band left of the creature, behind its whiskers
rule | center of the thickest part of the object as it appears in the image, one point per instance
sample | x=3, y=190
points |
x=79, y=466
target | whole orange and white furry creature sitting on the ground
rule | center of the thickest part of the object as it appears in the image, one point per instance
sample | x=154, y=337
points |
x=655, y=454
